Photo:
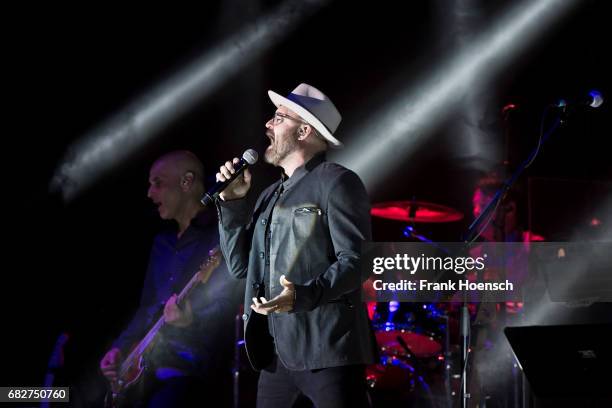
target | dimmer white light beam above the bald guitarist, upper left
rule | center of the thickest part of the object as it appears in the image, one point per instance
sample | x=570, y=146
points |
x=115, y=140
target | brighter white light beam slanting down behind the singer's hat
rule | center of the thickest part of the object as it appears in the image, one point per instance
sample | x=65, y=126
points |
x=392, y=135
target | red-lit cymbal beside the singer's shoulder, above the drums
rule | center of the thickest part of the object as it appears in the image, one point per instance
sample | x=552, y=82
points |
x=415, y=211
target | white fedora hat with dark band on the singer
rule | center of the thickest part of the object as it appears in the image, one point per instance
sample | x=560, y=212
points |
x=314, y=107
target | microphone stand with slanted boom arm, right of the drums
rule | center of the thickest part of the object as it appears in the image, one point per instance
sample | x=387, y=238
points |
x=473, y=232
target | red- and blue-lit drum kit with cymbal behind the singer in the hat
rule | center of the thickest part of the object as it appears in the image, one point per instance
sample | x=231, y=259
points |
x=413, y=338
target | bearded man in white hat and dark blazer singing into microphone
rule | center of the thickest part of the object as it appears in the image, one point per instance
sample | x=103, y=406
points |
x=298, y=246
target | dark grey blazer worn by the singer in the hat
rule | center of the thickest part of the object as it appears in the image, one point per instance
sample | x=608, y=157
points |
x=317, y=226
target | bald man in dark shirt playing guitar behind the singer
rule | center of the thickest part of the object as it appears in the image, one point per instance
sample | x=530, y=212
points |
x=194, y=348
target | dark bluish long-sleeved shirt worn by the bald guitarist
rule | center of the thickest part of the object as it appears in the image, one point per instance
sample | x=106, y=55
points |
x=173, y=261
